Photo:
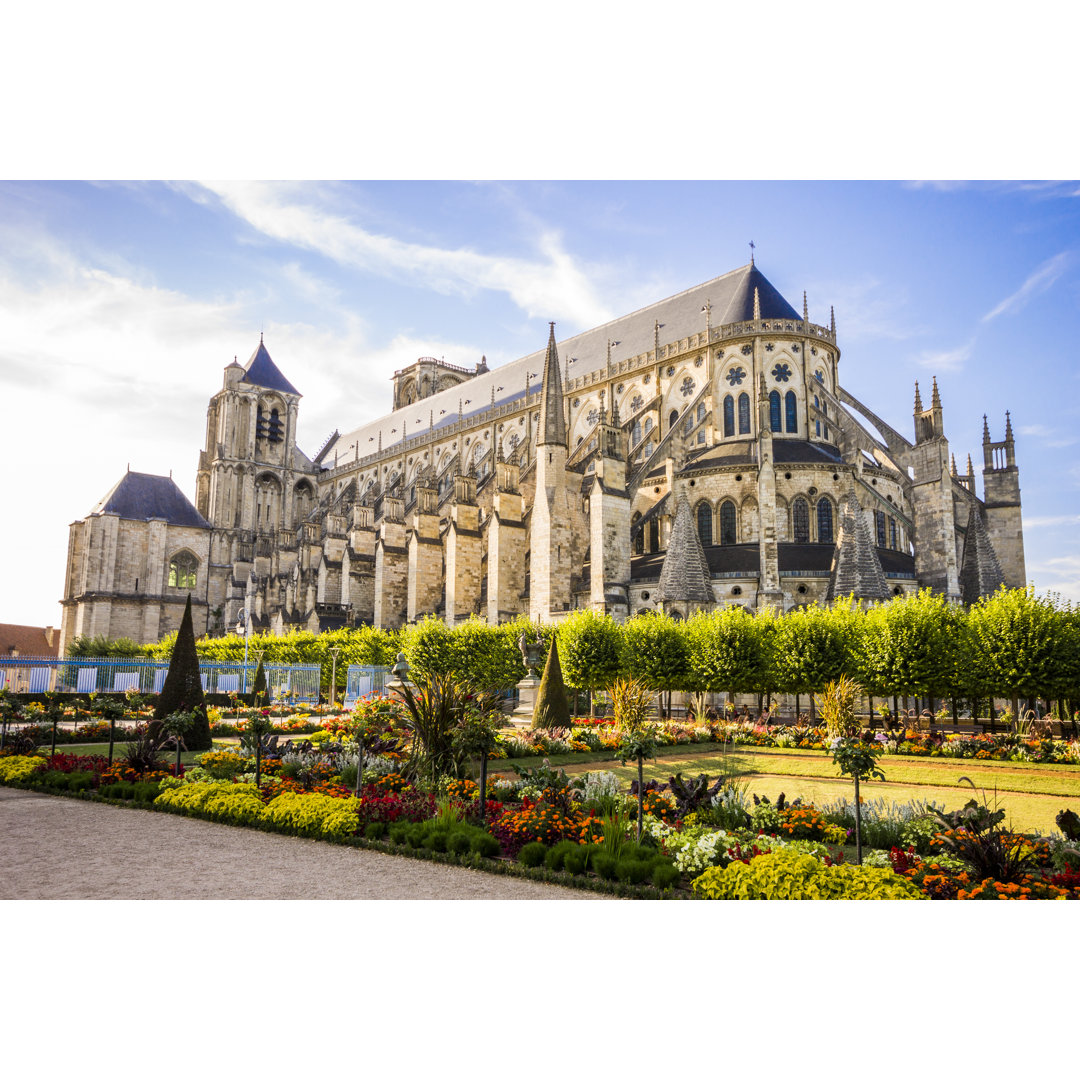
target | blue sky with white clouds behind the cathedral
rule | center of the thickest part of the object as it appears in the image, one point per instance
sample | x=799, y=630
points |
x=120, y=305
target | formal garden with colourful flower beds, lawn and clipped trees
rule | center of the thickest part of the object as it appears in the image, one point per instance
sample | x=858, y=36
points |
x=931, y=752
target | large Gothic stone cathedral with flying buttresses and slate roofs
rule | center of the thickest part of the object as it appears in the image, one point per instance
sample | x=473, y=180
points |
x=697, y=453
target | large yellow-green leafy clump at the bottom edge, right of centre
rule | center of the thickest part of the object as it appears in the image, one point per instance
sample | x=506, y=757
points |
x=790, y=875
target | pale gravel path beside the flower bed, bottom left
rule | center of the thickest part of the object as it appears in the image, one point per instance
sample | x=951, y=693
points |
x=57, y=848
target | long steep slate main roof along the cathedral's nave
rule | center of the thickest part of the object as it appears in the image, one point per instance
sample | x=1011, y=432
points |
x=732, y=296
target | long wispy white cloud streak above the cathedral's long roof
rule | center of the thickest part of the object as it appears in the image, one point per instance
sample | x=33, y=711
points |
x=551, y=286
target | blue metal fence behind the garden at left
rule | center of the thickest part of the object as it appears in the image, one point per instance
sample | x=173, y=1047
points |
x=112, y=674
